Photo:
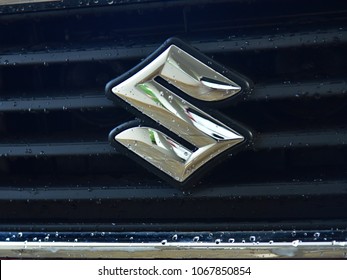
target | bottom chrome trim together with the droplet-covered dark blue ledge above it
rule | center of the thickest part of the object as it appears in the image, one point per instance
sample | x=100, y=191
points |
x=200, y=244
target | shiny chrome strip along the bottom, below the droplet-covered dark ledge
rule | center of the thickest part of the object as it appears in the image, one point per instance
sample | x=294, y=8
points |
x=172, y=250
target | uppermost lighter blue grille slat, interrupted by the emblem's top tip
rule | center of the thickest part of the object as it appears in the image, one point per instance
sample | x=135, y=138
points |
x=271, y=41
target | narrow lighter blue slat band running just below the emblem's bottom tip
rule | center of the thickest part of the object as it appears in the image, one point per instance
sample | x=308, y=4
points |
x=159, y=191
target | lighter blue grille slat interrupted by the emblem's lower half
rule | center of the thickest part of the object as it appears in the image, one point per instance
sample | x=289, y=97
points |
x=263, y=141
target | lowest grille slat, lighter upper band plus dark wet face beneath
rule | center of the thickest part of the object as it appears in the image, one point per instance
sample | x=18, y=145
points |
x=270, y=204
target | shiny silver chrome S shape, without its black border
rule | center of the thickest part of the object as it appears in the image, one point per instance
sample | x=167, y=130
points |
x=209, y=136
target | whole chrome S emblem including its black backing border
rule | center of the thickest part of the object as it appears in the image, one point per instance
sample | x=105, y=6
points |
x=179, y=135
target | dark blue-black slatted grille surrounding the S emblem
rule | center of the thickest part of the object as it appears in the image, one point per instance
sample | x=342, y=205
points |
x=56, y=165
